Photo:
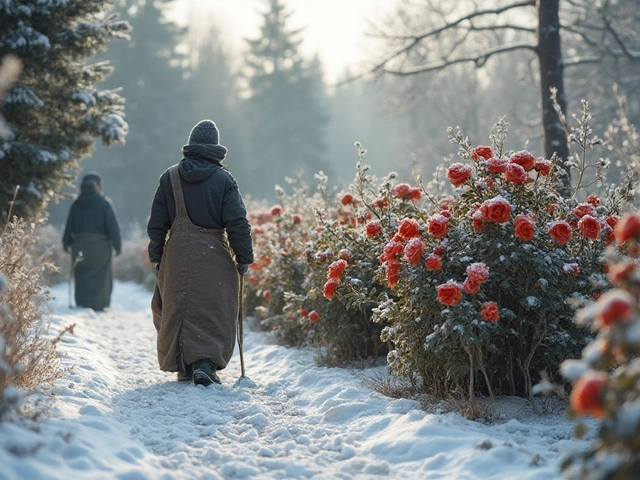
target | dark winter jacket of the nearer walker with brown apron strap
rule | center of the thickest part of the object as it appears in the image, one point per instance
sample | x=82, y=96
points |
x=212, y=200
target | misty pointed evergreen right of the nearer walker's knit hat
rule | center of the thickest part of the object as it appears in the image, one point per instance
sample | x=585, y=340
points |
x=286, y=111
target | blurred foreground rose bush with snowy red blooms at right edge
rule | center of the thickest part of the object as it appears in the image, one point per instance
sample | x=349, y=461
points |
x=606, y=380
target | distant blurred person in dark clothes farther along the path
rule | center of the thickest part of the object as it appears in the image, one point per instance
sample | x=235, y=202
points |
x=92, y=233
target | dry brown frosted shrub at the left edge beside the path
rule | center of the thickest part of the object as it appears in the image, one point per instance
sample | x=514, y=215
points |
x=28, y=360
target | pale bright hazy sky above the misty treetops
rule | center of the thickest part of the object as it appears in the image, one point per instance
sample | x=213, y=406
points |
x=335, y=29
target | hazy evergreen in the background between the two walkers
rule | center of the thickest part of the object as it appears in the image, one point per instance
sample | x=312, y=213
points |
x=152, y=76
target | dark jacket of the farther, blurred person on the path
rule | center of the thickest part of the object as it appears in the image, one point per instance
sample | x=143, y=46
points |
x=92, y=212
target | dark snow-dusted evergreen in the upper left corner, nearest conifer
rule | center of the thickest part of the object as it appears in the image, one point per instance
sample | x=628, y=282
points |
x=54, y=110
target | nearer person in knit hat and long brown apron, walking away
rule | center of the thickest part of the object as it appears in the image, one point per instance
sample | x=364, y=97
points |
x=200, y=241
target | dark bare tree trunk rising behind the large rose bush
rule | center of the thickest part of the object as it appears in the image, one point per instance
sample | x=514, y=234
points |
x=552, y=76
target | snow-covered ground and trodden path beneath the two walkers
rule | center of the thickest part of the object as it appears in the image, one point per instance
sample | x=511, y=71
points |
x=116, y=416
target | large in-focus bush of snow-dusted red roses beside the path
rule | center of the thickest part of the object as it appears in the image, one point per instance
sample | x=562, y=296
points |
x=481, y=281
